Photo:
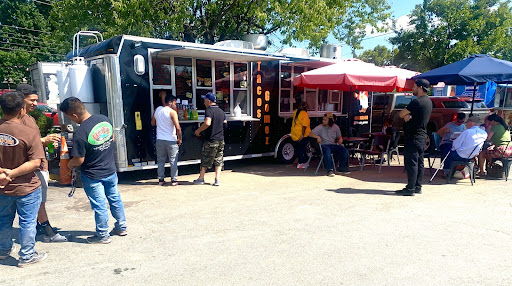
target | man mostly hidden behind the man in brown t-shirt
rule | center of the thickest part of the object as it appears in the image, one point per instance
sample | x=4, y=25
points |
x=43, y=224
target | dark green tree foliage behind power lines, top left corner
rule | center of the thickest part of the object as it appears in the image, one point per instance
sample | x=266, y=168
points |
x=24, y=38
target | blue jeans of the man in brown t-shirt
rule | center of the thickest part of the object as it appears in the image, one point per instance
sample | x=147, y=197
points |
x=27, y=207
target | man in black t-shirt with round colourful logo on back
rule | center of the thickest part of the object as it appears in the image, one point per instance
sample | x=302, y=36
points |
x=93, y=150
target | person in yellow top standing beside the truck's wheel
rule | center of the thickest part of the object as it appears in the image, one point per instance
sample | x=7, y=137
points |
x=300, y=132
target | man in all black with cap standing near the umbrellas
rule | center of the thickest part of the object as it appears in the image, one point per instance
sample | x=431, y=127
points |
x=416, y=116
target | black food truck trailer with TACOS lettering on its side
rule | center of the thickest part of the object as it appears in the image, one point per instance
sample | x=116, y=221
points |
x=122, y=77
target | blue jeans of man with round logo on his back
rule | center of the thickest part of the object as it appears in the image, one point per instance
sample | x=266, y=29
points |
x=98, y=192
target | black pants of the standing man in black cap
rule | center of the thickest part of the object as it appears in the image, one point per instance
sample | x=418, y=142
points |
x=413, y=160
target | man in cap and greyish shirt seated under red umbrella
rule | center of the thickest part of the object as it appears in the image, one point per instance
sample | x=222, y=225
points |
x=328, y=135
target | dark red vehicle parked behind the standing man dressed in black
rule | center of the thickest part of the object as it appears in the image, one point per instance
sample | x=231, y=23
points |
x=444, y=109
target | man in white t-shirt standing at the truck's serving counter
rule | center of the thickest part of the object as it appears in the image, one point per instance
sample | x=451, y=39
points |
x=168, y=139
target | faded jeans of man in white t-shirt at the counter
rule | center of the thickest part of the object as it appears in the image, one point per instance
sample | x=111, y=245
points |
x=167, y=150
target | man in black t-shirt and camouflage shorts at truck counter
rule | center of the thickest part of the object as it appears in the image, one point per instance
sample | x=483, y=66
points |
x=213, y=135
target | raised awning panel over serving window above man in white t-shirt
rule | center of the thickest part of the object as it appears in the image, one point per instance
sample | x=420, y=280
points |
x=220, y=55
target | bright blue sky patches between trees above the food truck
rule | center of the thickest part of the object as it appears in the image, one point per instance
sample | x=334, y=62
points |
x=399, y=11
